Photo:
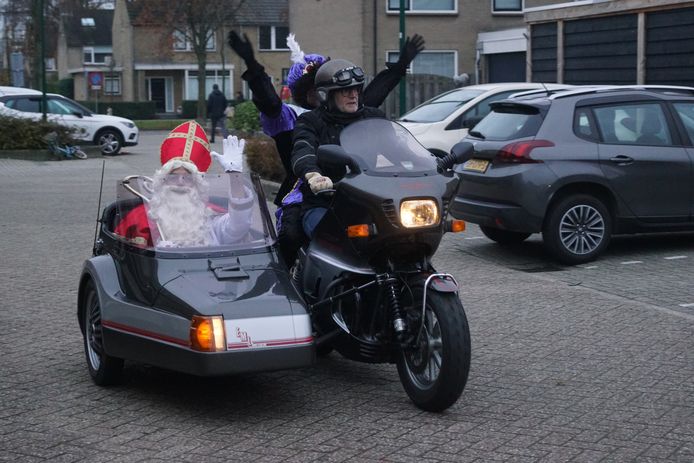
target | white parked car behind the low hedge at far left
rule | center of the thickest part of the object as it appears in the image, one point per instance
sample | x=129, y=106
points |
x=110, y=133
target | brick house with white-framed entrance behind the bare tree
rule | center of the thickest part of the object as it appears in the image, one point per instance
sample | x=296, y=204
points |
x=154, y=67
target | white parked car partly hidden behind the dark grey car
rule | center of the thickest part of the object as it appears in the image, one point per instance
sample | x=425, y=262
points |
x=441, y=122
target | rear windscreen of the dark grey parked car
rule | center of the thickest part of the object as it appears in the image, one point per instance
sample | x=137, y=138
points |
x=507, y=122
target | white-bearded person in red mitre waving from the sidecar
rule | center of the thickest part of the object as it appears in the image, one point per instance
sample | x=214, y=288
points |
x=177, y=214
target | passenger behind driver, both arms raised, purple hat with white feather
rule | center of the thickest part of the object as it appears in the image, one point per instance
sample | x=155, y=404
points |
x=278, y=118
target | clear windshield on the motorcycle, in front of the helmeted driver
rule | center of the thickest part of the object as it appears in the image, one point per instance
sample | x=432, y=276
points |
x=383, y=147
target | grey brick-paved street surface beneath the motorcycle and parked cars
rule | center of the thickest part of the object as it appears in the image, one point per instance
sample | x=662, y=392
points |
x=593, y=363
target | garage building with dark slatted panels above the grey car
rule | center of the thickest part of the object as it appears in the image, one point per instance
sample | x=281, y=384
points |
x=612, y=42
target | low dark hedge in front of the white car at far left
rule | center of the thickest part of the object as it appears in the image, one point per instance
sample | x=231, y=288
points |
x=19, y=133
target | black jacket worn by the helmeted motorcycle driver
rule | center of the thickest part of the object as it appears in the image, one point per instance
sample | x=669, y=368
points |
x=315, y=128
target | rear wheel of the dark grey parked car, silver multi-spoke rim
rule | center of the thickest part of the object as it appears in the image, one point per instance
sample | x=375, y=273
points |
x=577, y=229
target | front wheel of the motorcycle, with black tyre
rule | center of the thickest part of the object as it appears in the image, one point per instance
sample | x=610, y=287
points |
x=435, y=370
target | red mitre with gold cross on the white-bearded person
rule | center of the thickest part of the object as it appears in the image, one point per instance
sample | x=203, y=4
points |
x=186, y=146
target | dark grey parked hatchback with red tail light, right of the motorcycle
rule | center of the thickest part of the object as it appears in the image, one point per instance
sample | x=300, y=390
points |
x=582, y=165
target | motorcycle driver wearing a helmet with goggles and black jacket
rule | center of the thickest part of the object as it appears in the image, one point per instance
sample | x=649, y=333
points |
x=339, y=85
